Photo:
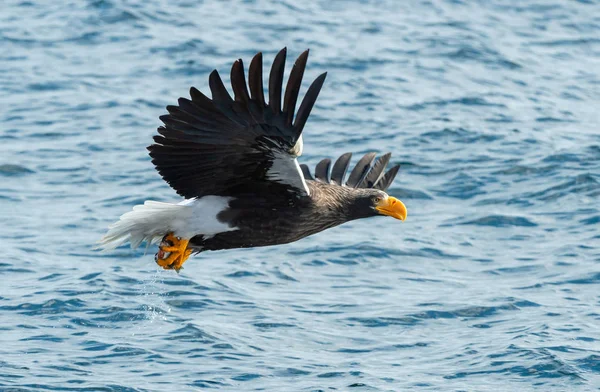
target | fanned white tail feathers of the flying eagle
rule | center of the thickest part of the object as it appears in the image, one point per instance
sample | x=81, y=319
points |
x=148, y=222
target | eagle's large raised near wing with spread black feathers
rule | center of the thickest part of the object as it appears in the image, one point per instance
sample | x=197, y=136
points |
x=226, y=146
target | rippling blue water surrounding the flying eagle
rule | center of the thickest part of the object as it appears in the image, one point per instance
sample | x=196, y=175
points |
x=492, y=108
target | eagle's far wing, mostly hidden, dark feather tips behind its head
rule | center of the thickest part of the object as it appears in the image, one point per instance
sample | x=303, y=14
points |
x=365, y=174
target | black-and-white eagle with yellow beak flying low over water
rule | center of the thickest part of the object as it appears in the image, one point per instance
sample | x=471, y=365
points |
x=234, y=160
